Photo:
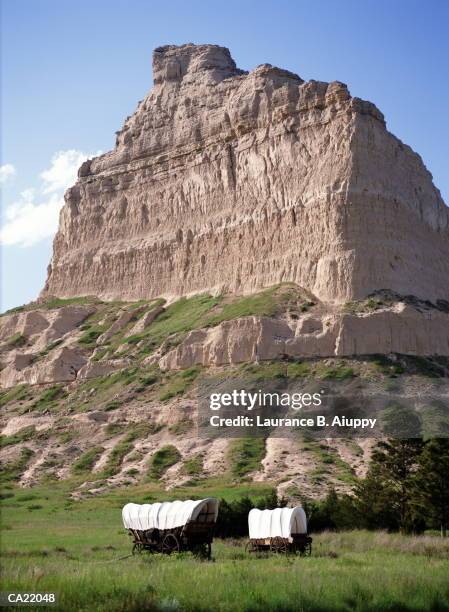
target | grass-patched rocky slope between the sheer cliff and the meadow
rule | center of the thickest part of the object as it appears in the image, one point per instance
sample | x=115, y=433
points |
x=104, y=394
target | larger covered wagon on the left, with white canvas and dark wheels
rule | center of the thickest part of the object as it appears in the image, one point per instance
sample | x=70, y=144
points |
x=172, y=526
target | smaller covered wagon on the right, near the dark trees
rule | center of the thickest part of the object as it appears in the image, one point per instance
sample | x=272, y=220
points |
x=281, y=530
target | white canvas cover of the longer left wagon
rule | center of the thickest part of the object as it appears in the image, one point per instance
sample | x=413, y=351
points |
x=168, y=515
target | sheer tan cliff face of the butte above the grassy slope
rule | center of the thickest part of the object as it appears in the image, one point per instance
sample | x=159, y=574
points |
x=230, y=181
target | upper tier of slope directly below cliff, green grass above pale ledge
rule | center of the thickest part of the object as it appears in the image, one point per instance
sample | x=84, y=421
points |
x=48, y=343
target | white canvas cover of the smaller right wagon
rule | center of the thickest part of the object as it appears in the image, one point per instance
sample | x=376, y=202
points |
x=280, y=522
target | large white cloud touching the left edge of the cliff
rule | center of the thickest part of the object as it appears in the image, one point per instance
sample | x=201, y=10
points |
x=34, y=216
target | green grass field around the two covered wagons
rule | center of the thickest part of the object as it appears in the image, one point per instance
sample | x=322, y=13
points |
x=50, y=543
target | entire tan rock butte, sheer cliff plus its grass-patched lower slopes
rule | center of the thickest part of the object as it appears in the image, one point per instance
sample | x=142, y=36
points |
x=220, y=184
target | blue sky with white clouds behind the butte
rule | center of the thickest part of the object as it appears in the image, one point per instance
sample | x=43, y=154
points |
x=73, y=70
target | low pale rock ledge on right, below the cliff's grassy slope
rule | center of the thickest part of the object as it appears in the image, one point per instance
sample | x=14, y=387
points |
x=399, y=330
